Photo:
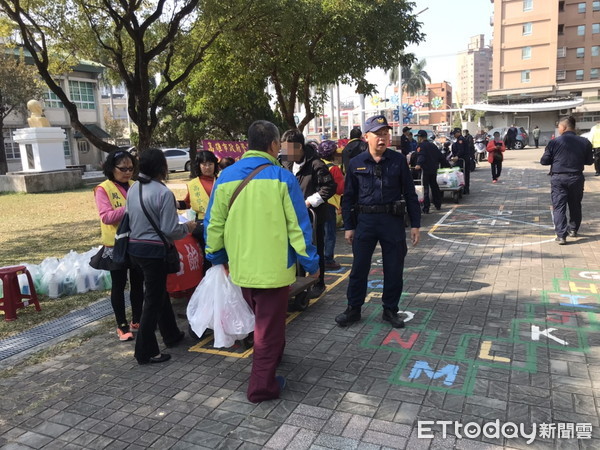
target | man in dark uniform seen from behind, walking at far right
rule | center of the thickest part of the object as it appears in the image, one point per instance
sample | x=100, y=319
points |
x=567, y=154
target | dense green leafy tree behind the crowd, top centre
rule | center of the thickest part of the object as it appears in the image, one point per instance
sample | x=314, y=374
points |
x=311, y=43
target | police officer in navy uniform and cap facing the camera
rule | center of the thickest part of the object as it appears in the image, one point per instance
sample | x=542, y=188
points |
x=376, y=183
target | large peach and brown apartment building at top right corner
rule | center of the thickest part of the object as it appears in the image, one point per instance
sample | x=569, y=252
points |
x=546, y=53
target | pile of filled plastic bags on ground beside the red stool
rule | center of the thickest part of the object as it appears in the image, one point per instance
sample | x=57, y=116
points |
x=69, y=275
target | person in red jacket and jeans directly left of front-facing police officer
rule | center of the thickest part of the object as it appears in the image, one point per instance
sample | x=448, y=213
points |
x=326, y=151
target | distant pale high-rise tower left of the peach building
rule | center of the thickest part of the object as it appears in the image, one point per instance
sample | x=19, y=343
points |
x=474, y=72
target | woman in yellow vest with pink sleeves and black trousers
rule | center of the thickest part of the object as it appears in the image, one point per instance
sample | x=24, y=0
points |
x=110, y=198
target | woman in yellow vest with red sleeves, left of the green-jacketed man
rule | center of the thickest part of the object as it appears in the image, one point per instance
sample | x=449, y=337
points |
x=199, y=189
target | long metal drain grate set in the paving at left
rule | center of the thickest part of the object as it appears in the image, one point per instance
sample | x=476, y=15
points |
x=55, y=328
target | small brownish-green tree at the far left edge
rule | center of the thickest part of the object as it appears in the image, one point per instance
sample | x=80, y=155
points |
x=19, y=83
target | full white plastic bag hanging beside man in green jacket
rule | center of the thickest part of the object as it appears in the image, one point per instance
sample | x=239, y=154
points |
x=218, y=304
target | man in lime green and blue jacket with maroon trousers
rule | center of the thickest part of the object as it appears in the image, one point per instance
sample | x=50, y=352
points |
x=261, y=236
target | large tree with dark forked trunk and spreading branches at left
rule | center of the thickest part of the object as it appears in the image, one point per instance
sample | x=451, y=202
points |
x=137, y=41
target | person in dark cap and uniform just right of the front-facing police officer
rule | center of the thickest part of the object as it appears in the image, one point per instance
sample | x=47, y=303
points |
x=429, y=159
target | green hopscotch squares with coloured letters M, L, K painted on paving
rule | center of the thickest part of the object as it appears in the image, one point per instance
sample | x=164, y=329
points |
x=566, y=319
